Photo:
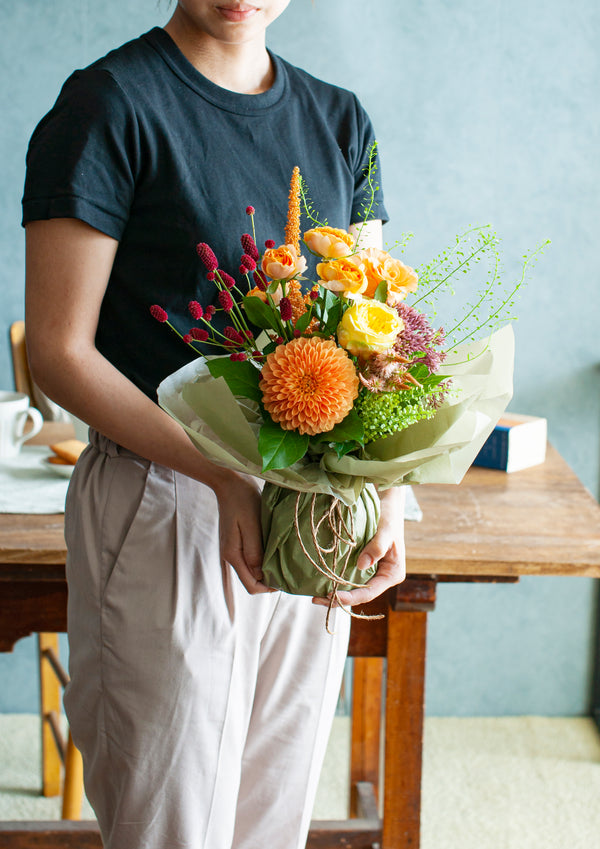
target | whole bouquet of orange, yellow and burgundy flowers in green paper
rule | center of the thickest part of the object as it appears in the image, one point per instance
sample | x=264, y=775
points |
x=334, y=389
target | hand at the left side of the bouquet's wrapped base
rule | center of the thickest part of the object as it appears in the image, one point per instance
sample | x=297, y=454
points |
x=240, y=535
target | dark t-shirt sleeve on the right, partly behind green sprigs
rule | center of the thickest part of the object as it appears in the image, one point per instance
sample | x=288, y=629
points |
x=362, y=205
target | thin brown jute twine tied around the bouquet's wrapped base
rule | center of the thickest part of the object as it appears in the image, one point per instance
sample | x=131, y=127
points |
x=341, y=535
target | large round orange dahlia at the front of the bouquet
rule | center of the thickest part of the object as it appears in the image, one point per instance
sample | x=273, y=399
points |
x=308, y=385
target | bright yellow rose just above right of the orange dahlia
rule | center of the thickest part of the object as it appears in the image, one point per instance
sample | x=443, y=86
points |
x=369, y=327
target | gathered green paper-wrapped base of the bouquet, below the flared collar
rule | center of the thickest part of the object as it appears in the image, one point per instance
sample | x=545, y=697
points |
x=292, y=562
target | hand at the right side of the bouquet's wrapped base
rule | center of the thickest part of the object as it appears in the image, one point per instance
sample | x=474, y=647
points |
x=386, y=549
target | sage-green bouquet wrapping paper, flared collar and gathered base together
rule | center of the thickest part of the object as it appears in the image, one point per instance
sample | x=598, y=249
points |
x=438, y=450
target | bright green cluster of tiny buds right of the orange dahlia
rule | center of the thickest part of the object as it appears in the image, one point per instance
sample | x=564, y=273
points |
x=383, y=413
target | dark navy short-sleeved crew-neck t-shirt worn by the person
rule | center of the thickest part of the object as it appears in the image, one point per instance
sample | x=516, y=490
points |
x=144, y=148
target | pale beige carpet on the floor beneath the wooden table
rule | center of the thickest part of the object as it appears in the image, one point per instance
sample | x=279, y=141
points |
x=508, y=783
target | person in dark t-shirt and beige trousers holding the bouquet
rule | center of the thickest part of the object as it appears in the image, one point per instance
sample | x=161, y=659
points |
x=200, y=700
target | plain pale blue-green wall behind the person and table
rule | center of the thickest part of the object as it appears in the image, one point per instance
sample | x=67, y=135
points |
x=485, y=112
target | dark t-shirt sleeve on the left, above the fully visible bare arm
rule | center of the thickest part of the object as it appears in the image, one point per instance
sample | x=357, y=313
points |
x=81, y=161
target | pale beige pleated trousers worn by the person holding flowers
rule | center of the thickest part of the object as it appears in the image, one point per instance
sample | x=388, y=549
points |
x=202, y=712
